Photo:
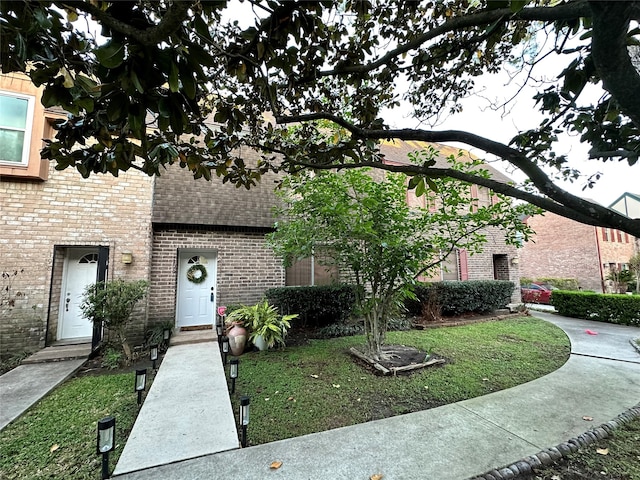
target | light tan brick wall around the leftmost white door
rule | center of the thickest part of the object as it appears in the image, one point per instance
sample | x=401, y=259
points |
x=40, y=220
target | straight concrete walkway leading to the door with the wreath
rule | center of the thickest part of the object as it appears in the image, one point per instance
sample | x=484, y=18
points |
x=186, y=414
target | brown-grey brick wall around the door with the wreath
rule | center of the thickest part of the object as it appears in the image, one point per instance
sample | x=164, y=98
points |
x=246, y=267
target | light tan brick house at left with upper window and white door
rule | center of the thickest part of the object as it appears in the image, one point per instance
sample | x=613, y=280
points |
x=60, y=231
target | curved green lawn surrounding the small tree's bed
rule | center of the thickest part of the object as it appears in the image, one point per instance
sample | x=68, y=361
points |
x=308, y=389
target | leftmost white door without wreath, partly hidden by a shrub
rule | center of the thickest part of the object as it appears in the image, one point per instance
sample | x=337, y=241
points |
x=80, y=270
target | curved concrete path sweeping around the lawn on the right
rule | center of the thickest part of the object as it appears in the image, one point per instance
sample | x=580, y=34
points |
x=601, y=379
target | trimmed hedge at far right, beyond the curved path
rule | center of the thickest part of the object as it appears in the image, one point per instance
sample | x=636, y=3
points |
x=603, y=307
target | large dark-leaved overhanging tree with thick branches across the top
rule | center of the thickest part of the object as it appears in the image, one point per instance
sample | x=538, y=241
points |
x=184, y=81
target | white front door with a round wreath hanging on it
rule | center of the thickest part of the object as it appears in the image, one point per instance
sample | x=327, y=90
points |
x=196, y=288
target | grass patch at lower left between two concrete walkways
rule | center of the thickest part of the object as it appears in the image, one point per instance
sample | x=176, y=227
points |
x=57, y=438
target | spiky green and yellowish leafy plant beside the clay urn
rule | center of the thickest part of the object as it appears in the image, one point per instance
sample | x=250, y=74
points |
x=266, y=326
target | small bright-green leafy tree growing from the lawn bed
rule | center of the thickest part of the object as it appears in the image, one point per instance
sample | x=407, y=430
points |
x=365, y=227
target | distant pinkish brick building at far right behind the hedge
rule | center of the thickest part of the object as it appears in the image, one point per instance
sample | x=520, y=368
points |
x=563, y=248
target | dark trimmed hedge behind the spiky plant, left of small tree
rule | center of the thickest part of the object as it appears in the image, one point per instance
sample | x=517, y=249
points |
x=317, y=306
